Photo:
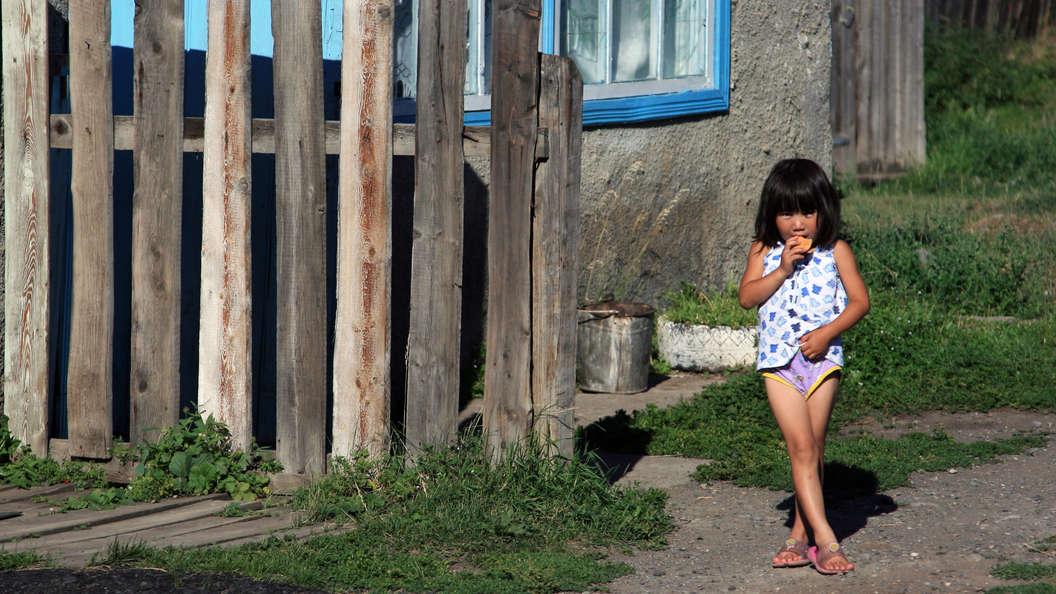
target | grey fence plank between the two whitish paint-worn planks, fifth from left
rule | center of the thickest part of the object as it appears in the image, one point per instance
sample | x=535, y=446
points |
x=300, y=177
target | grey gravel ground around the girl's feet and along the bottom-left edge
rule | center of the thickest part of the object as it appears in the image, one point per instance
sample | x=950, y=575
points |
x=946, y=534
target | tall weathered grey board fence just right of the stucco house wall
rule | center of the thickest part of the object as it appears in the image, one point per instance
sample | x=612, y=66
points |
x=878, y=86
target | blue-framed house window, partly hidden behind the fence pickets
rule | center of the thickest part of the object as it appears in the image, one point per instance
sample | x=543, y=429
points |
x=640, y=60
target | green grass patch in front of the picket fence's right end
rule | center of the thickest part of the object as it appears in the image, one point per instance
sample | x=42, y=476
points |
x=450, y=523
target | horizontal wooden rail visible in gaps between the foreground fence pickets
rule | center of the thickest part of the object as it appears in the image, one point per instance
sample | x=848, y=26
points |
x=477, y=140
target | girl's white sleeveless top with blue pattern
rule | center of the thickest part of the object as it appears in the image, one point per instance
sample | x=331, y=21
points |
x=808, y=300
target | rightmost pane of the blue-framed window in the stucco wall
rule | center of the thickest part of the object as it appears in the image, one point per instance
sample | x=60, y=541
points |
x=686, y=38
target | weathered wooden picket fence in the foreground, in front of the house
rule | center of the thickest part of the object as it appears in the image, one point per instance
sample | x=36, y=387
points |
x=534, y=145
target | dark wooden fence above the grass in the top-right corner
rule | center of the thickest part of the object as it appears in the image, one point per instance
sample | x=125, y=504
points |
x=1019, y=18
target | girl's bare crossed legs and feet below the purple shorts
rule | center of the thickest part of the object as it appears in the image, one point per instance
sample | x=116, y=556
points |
x=804, y=424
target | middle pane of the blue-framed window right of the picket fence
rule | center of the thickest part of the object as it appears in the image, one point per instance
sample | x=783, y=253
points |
x=633, y=47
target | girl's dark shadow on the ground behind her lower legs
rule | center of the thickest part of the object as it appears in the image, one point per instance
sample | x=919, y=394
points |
x=851, y=499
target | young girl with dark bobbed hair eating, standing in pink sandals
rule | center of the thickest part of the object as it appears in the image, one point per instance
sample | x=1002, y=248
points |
x=808, y=289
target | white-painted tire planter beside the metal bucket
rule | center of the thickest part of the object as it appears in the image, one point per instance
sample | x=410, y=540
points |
x=704, y=348
